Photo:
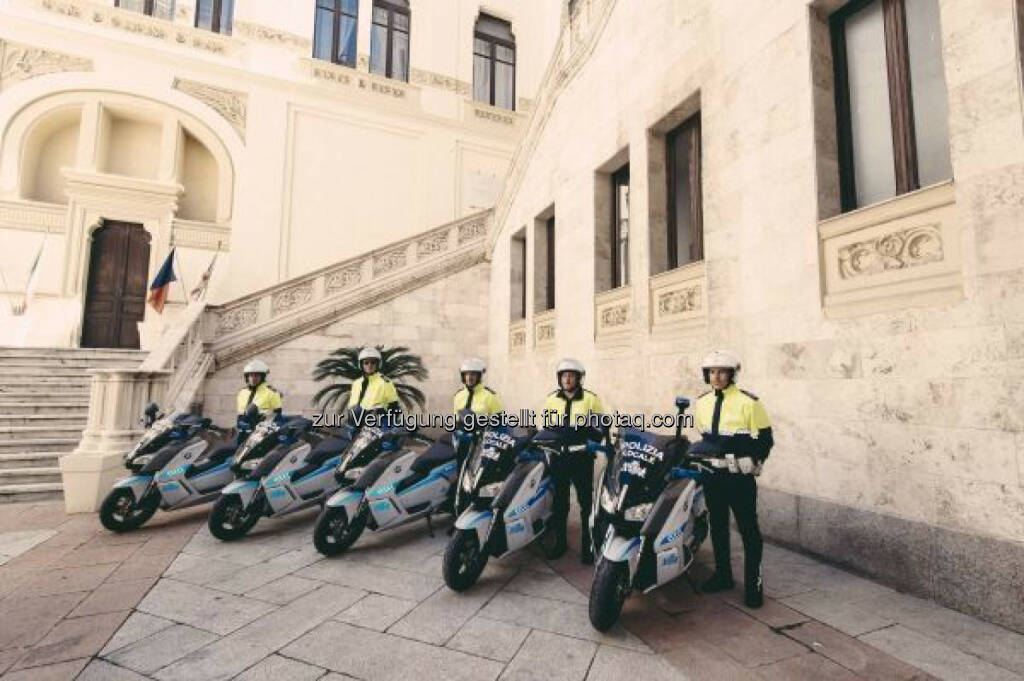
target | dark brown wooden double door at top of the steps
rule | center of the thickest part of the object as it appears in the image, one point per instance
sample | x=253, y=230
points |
x=115, y=299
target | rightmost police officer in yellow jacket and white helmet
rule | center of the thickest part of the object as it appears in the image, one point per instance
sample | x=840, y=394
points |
x=737, y=440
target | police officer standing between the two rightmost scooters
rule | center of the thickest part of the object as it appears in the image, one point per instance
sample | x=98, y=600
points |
x=574, y=469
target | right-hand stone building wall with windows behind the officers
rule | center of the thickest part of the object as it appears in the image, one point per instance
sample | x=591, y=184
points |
x=880, y=320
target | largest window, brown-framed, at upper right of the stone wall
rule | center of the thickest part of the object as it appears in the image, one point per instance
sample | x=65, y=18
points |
x=891, y=106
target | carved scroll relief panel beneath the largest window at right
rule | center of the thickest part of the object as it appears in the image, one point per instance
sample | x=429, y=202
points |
x=898, y=250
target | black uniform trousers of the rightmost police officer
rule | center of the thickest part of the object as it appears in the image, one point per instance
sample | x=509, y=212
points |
x=740, y=493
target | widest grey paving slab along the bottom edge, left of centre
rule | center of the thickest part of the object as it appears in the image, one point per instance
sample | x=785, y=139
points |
x=375, y=657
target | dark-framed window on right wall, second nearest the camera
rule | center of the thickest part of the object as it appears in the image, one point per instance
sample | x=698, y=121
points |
x=685, y=211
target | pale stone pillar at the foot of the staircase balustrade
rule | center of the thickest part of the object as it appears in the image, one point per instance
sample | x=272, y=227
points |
x=117, y=400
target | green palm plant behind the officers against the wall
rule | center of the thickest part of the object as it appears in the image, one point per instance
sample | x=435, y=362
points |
x=343, y=367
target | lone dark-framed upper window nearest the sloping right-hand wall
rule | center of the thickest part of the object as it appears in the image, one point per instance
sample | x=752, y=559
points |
x=494, y=63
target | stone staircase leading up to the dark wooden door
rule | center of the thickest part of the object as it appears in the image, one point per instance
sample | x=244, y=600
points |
x=45, y=401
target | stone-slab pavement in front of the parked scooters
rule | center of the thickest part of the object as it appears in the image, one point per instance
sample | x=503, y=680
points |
x=172, y=603
